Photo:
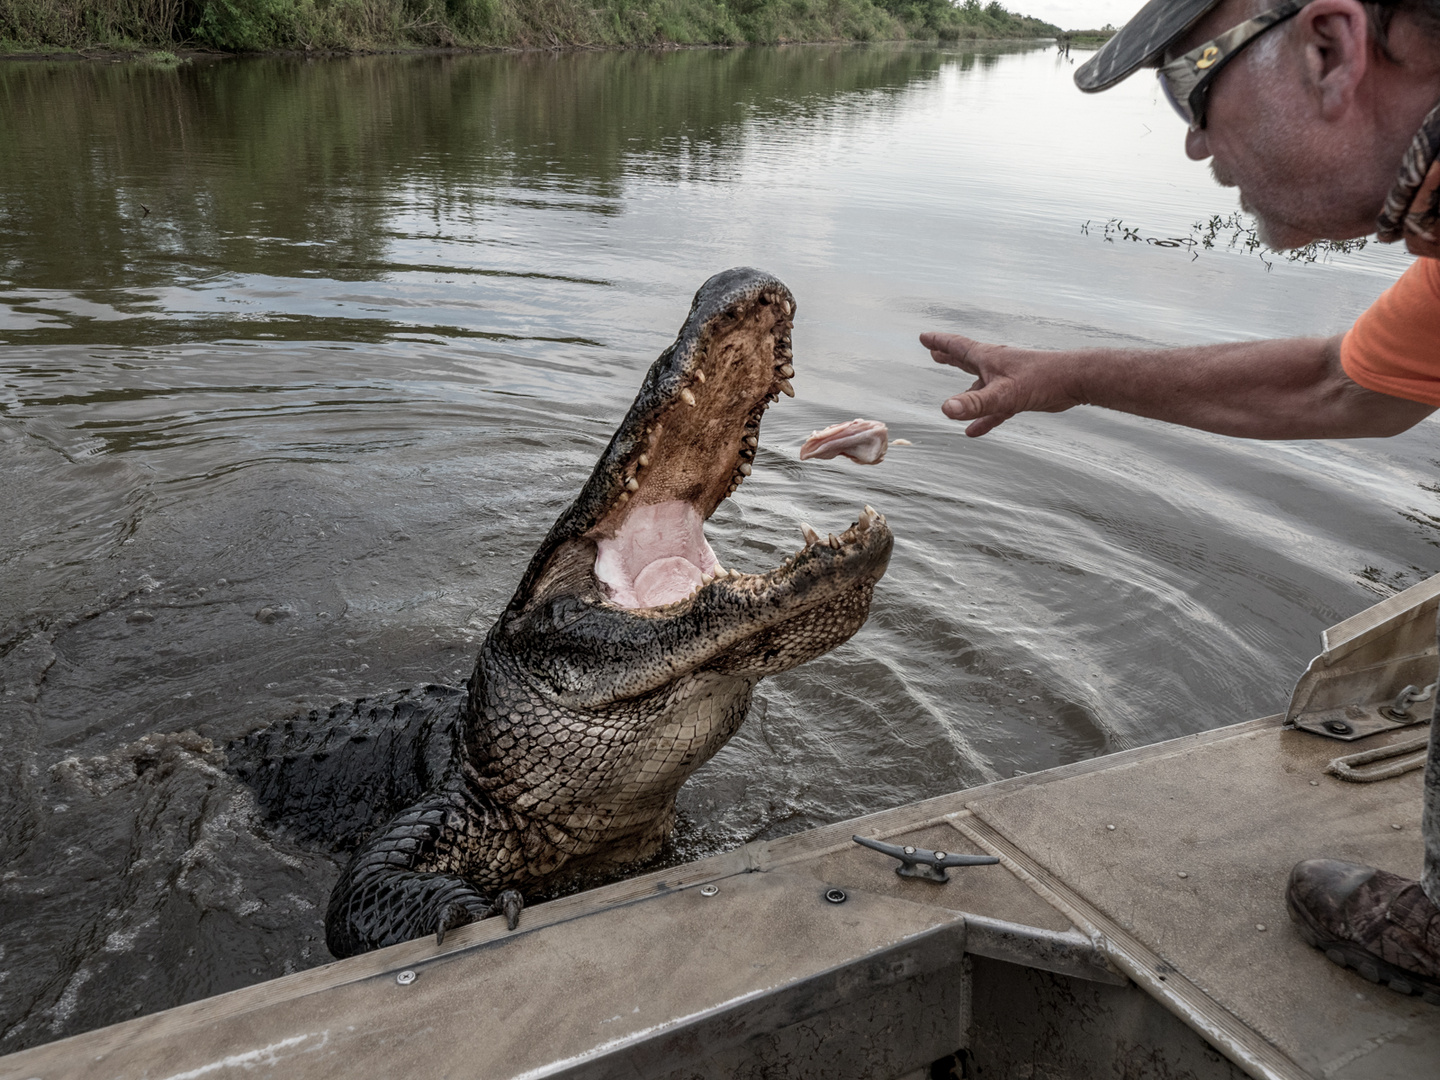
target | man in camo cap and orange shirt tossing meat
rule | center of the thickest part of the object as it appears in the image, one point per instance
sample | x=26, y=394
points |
x=1326, y=116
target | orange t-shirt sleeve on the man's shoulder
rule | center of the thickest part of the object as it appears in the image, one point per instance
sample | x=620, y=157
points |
x=1395, y=348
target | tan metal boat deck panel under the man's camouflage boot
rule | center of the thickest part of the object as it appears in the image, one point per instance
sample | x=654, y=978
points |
x=1232, y=814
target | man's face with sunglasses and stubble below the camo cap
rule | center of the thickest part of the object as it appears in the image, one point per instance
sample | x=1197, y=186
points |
x=1301, y=178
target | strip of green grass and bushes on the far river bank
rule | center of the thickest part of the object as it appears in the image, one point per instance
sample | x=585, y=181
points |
x=354, y=25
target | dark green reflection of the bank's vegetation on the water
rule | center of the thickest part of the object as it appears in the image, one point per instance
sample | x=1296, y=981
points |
x=119, y=181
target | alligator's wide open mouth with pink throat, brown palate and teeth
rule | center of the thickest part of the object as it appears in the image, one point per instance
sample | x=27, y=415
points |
x=692, y=443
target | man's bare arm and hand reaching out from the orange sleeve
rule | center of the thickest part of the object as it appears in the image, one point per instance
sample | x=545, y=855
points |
x=1290, y=390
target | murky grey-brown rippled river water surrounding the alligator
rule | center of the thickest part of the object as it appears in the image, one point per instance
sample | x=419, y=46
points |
x=341, y=341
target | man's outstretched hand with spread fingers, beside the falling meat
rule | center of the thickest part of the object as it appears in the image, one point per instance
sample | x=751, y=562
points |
x=1007, y=381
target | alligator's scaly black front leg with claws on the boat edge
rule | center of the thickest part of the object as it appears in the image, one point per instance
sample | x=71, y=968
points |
x=392, y=892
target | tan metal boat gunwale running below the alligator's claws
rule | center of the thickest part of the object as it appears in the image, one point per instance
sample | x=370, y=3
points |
x=678, y=974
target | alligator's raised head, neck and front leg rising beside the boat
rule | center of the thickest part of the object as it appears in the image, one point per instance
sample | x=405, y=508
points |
x=629, y=654
